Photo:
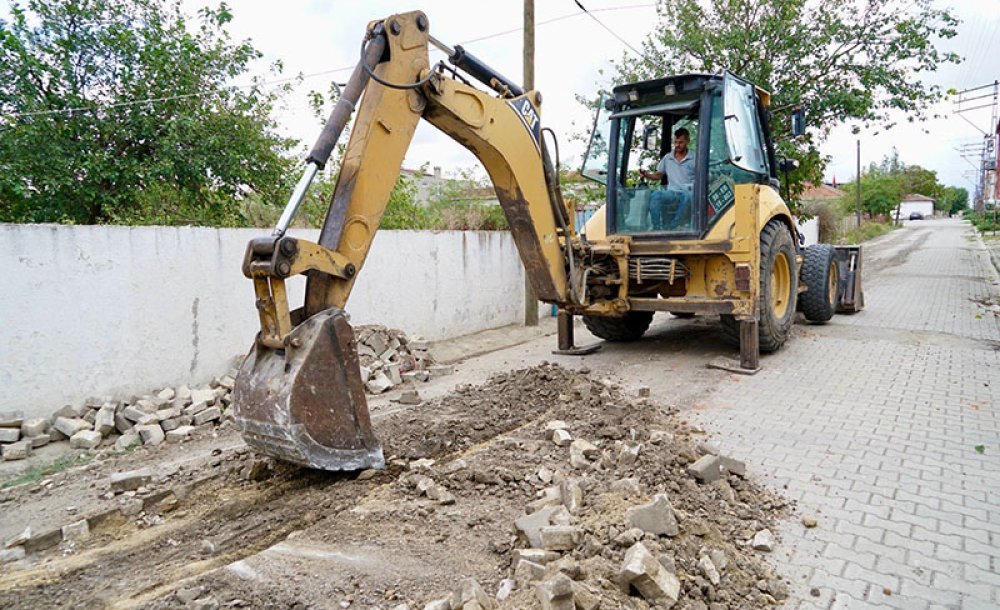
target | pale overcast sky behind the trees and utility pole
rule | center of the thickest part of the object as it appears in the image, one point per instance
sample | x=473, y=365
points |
x=313, y=36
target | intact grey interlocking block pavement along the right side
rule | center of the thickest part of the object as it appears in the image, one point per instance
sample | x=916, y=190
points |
x=884, y=426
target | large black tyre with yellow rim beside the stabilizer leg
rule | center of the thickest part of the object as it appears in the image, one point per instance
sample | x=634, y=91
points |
x=778, y=289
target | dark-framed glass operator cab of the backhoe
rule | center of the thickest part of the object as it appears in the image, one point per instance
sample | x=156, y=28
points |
x=730, y=144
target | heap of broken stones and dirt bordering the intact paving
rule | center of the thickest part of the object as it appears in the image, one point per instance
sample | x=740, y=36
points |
x=621, y=512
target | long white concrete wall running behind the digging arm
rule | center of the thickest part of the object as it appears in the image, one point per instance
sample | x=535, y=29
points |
x=119, y=310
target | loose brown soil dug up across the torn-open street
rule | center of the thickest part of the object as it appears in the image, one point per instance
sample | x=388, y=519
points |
x=244, y=531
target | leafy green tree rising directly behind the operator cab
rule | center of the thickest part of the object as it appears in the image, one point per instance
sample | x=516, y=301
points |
x=850, y=61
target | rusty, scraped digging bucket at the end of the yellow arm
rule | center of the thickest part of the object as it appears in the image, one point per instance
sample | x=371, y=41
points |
x=306, y=404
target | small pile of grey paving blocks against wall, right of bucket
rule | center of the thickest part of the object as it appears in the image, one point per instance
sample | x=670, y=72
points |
x=388, y=358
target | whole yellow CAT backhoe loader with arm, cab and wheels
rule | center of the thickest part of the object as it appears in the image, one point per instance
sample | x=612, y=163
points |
x=730, y=247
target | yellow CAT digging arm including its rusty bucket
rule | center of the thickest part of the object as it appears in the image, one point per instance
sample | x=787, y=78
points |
x=299, y=395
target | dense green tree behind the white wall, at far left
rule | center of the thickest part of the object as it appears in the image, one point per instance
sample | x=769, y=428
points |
x=119, y=111
